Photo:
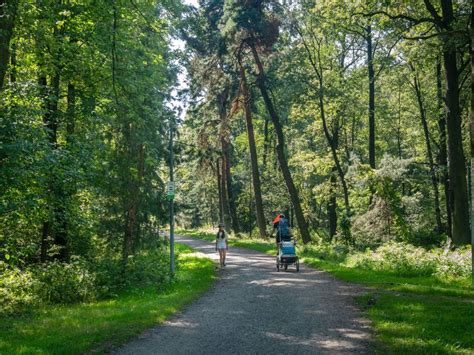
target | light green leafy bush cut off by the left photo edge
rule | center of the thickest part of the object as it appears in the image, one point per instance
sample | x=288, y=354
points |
x=18, y=289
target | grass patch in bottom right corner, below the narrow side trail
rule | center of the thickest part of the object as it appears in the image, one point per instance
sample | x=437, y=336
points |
x=422, y=324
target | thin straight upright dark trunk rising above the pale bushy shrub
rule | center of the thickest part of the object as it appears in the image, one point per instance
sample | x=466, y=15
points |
x=371, y=72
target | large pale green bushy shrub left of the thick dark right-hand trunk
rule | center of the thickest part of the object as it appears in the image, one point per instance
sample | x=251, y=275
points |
x=392, y=215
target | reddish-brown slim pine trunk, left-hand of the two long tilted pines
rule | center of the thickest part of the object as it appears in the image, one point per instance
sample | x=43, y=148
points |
x=253, y=154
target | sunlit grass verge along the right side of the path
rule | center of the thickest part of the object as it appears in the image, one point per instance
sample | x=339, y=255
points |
x=422, y=315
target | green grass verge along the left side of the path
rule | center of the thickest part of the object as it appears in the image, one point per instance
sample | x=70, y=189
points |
x=98, y=326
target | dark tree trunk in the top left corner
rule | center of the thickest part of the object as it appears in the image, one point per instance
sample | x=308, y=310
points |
x=8, y=9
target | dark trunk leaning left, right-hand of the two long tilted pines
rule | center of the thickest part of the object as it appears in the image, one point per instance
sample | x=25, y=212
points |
x=280, y=148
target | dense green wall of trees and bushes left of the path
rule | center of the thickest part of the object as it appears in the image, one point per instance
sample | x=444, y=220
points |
x=83, y=118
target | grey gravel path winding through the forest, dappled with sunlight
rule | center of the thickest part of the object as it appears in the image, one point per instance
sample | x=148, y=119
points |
x=253, y=309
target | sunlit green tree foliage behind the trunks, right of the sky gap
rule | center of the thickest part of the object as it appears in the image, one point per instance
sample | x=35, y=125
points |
x=316, y=63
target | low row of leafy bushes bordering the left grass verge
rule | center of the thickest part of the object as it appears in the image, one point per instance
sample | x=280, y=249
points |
x=55, y=282
